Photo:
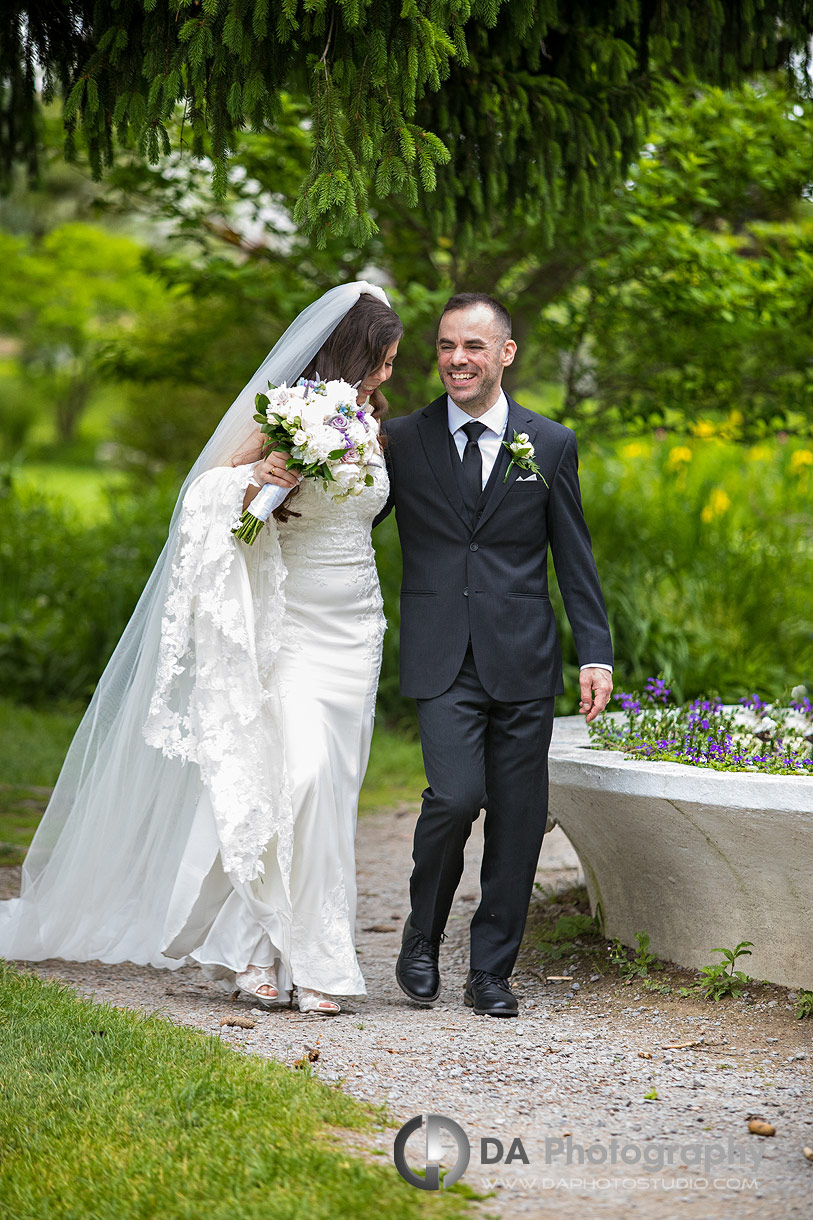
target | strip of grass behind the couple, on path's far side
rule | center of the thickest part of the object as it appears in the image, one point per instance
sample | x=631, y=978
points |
x=34, y=744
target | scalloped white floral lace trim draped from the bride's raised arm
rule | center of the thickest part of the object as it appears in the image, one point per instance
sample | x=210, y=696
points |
x=215, y=700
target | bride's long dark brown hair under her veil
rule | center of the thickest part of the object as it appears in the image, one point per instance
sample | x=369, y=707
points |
x=353, y=351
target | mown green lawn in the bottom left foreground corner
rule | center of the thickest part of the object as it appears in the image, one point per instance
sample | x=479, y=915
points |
x=115, y=1116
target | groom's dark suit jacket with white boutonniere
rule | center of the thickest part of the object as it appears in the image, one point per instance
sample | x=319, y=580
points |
x=486, y=578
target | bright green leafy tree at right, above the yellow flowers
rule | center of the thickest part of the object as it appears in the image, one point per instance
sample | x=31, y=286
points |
x=693, y=296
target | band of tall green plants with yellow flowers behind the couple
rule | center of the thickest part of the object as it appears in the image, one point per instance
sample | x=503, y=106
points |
x=705, y=552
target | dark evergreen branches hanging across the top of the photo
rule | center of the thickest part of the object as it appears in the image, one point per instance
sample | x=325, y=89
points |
x=527, y=106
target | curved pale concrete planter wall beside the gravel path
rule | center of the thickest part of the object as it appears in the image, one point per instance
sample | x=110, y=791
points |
x=694, y=857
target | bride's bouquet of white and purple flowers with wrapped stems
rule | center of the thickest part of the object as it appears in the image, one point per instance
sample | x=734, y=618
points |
x=327, y=435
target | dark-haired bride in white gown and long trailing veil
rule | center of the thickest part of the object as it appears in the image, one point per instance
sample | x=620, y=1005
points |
x=207, y=807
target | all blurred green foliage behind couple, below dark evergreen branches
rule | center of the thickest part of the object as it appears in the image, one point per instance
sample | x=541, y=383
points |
x=672, y=334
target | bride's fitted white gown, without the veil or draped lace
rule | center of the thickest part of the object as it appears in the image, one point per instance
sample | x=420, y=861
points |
x=300, y=913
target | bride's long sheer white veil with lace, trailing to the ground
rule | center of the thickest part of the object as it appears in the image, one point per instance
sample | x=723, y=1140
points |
x=184, y=708
